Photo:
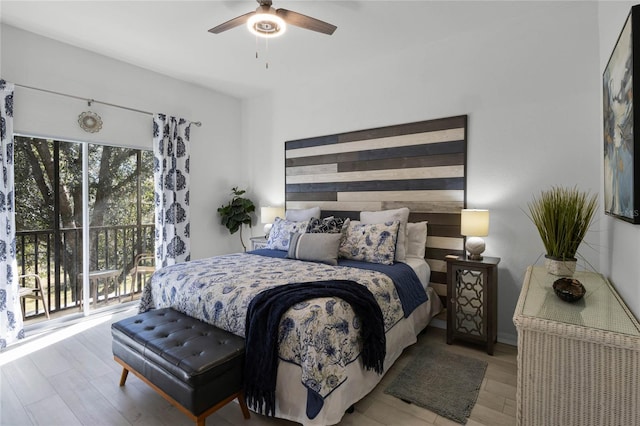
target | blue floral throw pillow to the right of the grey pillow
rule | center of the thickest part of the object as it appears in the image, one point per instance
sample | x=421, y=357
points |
x=374, y=243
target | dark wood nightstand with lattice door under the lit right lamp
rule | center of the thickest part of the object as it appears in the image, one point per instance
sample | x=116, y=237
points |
x=472, y=300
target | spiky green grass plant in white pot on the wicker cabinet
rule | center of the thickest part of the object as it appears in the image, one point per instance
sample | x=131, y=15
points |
x=562, y=217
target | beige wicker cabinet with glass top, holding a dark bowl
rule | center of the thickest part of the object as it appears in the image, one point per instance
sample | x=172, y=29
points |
x=578, y=364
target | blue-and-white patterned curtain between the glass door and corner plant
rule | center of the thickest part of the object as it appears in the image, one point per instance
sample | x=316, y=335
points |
x=171, y=188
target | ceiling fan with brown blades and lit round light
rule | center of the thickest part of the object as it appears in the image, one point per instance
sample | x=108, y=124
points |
x=269, y=22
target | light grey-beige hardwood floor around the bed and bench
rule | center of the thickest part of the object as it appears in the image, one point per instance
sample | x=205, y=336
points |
x=75, y=382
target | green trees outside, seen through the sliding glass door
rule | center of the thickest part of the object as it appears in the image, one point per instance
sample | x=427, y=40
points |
x=117, y=176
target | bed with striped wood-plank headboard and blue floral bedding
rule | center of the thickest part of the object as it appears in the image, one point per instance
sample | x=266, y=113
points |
x=417, y=165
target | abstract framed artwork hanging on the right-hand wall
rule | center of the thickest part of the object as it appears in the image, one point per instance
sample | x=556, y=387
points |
x=621, y=165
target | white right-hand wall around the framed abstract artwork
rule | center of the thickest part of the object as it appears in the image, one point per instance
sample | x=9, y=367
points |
x=620, y=254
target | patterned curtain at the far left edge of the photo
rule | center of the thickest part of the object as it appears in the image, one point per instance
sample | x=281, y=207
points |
x=10, y=314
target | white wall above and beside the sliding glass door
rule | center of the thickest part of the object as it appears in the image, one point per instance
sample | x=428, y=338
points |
x=216, y=159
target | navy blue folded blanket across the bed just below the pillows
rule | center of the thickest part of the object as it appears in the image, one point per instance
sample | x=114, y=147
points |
x=408, y=286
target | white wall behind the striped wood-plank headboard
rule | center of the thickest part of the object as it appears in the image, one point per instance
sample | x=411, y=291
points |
x=530, y=87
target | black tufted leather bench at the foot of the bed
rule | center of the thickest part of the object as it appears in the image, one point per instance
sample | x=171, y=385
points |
x=195, y=366
